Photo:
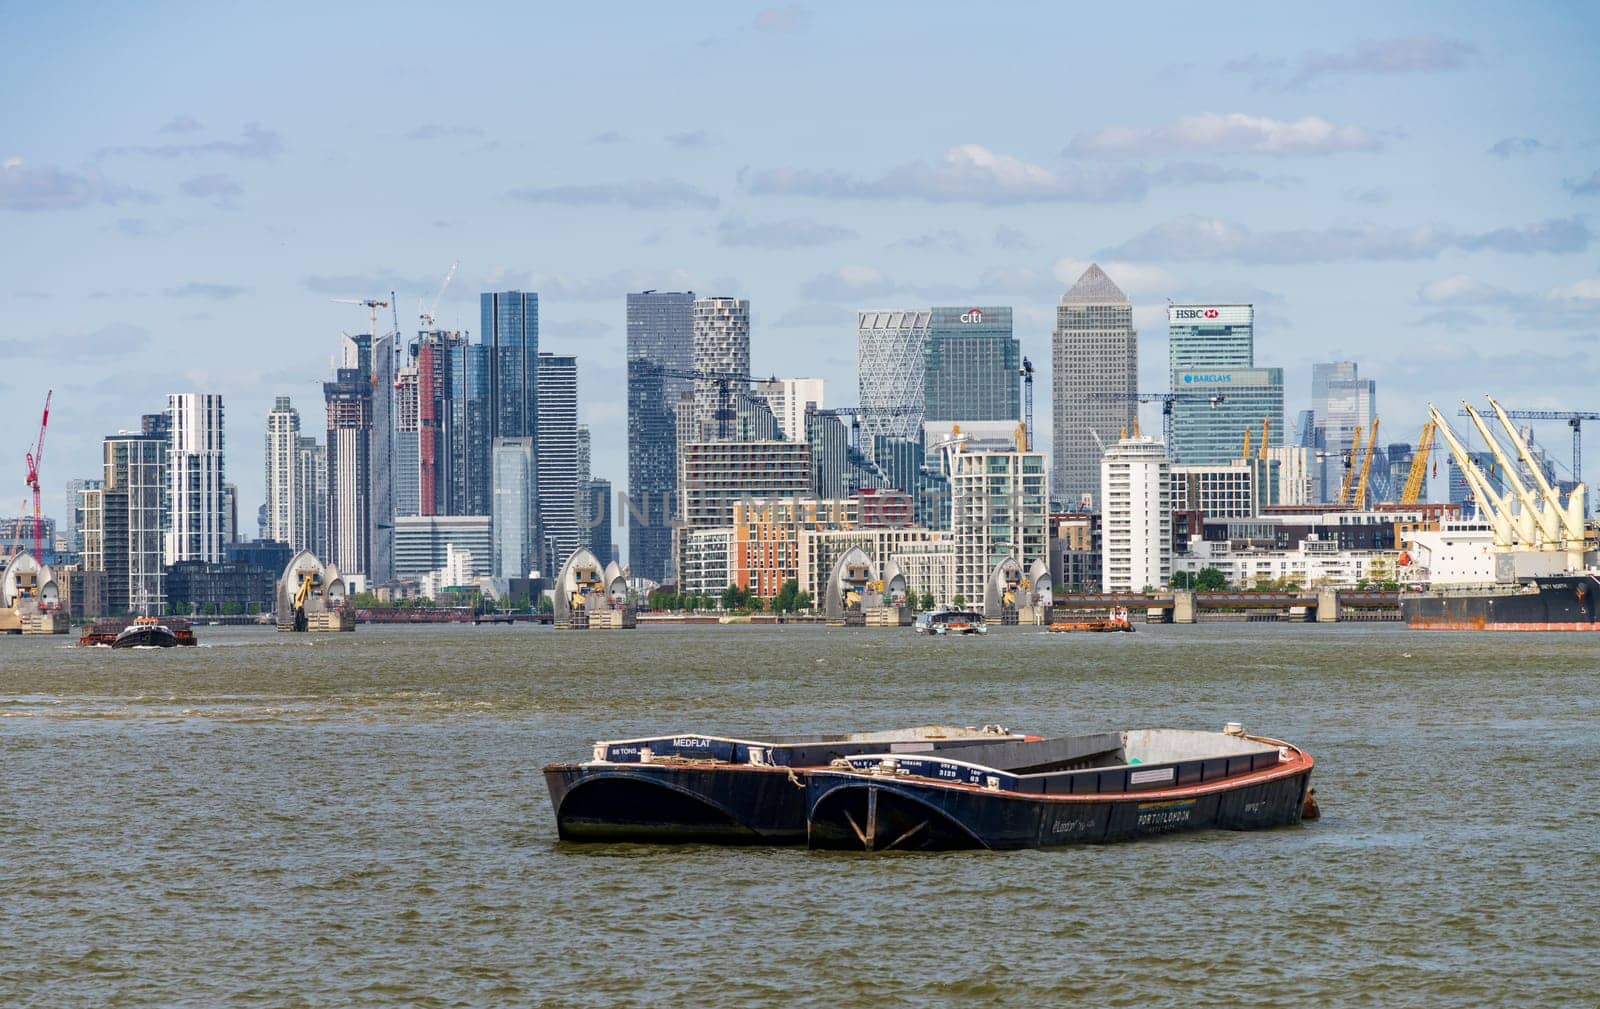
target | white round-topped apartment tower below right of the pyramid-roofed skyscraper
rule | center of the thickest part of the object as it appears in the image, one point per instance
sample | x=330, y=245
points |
x=1137, y=516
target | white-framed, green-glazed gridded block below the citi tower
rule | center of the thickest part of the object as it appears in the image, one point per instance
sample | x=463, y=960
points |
x=999, y=508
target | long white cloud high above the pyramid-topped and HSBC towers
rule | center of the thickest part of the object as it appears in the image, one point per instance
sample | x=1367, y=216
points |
x=1226, y=135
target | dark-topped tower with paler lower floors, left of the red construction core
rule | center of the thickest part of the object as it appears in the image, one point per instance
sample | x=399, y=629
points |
x=350, y=404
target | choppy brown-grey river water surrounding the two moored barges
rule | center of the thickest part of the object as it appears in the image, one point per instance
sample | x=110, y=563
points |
x=359, y=820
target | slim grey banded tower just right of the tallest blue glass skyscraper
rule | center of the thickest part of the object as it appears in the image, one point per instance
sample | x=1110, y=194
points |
x=556, y=460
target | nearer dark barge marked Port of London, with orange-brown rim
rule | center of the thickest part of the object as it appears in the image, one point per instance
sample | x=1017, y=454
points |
x=1086, y=789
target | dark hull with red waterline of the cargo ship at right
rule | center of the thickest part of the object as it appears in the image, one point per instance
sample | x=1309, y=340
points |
x=1550, y=604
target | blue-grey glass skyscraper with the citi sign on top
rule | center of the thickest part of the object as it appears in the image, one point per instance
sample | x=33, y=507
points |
x=972, y=367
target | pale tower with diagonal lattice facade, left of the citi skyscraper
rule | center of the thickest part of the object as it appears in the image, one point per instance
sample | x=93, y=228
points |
x=892, y=364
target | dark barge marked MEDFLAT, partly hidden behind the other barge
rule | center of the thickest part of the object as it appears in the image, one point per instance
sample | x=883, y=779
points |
x=708, y=789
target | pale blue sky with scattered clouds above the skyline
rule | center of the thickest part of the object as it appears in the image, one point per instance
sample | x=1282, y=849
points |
x=185, y=189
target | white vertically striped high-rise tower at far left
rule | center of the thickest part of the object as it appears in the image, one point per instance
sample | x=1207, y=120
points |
x=196, y=509
